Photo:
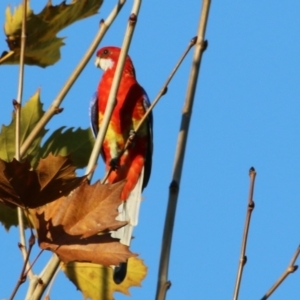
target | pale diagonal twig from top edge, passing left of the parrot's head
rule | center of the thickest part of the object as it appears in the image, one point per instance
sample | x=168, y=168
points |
x=54, y=108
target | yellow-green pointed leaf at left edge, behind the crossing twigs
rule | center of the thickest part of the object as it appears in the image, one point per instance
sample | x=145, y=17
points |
x=31, y=113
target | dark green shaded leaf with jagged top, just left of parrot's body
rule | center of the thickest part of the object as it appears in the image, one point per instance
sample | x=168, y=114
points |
x=78, y=144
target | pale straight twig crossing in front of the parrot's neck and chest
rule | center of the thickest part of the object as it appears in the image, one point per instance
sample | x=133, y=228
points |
x=114, y=88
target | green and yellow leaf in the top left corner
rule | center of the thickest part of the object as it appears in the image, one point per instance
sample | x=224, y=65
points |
x=42, y=44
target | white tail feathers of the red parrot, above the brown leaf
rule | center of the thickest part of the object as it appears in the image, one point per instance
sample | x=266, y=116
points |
x=129, y=211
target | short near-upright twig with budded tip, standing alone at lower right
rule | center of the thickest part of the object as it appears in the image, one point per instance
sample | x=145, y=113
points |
x=243, y=257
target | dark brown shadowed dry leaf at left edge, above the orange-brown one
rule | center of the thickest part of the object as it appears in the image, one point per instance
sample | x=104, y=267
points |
x=21, y=186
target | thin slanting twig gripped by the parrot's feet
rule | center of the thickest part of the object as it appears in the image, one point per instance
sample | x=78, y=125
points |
x=161, y=93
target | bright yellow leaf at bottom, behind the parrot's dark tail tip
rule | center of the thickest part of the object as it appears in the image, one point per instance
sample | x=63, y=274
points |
x=96, y=281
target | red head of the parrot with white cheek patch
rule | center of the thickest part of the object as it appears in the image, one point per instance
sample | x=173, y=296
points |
x=107, y=58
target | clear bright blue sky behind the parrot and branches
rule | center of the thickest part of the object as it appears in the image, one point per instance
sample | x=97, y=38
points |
x=246, y=113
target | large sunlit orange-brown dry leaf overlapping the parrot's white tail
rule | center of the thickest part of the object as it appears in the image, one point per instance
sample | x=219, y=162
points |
x=71, y=225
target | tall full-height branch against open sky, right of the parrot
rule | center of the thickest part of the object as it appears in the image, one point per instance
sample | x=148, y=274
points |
x=163, y=283
